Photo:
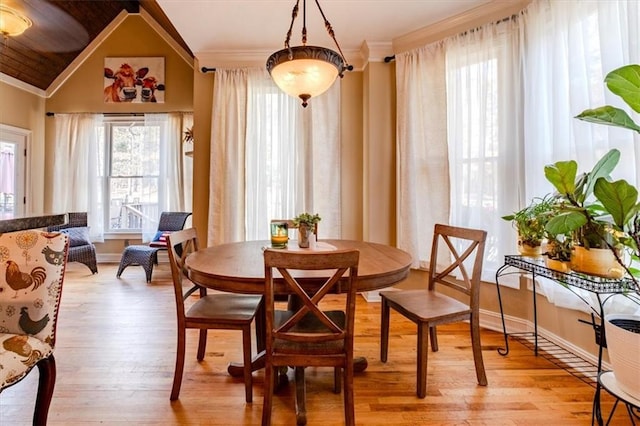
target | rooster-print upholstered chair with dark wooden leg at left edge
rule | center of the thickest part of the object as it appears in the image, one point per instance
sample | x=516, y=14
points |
x=32, y=267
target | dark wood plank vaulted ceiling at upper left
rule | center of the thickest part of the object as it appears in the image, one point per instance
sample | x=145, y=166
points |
x=60, y=32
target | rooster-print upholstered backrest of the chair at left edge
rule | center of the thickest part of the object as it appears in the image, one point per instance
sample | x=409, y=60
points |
x=33, y=266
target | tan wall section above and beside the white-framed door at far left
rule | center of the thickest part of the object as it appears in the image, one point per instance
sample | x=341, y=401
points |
x=25, y=110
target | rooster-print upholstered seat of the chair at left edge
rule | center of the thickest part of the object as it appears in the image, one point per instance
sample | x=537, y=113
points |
x=20, y=352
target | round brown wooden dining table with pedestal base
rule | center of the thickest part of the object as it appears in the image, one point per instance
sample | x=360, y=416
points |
x=238, y=267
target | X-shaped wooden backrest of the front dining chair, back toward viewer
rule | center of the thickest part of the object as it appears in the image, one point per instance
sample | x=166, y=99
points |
x=334, y=265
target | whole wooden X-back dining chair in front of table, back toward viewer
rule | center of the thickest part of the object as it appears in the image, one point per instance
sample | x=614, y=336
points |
x=304, y=335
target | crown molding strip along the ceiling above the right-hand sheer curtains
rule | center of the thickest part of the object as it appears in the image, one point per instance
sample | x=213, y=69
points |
x=488, y=12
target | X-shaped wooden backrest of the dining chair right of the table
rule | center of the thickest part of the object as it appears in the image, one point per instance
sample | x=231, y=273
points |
x=456, y=259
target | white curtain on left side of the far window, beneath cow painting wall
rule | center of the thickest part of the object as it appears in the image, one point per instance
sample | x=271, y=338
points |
x=77, y=169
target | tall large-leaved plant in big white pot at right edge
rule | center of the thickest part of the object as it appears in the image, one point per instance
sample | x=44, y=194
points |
x=620, y=200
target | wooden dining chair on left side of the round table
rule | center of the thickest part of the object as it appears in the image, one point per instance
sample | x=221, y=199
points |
x=222, y=311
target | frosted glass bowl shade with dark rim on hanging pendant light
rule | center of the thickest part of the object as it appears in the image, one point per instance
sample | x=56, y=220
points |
x=305, y=71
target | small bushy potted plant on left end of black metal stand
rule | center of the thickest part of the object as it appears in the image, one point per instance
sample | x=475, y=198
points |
x=530, y=223
